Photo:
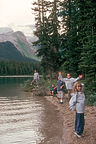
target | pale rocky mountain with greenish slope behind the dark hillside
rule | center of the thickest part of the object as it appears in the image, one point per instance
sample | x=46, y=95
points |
x=19, y=40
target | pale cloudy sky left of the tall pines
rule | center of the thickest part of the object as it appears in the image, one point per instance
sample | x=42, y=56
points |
x=17, y=14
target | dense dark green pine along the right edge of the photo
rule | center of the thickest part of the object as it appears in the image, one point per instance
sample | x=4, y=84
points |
x=87, y=34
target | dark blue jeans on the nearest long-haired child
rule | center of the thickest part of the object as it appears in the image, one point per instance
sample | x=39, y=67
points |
x=79, y=123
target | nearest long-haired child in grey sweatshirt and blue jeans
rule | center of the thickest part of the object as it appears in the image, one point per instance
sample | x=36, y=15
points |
x=77, y=102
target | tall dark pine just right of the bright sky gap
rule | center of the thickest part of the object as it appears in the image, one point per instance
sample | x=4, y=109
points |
x=70, y=36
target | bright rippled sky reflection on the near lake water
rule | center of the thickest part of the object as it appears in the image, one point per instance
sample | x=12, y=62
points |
x=20, y=121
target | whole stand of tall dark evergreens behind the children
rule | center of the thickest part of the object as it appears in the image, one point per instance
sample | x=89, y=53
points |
x=66, y=31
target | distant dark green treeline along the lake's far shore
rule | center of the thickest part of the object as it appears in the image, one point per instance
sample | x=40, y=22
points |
x=18, y=68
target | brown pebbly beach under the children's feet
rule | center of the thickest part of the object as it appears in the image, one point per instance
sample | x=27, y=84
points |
x=89, y=135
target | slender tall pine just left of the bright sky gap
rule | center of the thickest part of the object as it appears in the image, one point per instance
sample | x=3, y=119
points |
x=54, y=33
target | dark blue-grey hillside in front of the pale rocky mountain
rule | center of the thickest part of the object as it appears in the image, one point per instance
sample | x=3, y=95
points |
x=9, y=51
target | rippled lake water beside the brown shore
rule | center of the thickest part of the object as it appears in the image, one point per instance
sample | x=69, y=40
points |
x=27, y=119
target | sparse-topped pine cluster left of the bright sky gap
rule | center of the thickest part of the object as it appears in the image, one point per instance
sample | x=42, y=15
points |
x=47, y=31
